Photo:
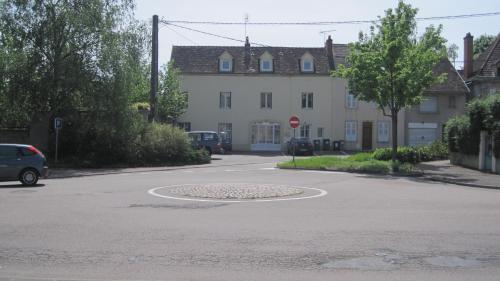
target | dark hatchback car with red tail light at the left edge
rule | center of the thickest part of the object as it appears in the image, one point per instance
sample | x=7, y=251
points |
x=22, y=162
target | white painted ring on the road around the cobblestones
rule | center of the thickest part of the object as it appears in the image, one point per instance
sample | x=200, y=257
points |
x=153, y=192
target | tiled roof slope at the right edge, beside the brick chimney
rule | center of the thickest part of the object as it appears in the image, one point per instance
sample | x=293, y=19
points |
x=487, y=62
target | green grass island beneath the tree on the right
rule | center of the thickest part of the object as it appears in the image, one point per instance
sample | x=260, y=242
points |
x=361, y=162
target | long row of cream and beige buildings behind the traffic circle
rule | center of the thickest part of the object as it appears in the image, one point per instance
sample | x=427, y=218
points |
x=250, y=93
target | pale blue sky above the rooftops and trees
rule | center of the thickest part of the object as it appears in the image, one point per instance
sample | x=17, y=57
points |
x=305, y=11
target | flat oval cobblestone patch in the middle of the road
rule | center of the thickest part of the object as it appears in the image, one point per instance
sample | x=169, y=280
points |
x=235, y=191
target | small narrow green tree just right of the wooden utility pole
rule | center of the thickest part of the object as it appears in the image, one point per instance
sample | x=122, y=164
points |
x=172, y=101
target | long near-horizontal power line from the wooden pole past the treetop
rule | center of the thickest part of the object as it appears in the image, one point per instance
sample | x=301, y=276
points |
x=452, y=17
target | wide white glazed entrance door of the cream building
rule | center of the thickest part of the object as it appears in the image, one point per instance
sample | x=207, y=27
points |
x=265, y=137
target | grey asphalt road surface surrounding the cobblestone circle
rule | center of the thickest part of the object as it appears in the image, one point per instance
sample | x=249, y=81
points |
x=109, y=227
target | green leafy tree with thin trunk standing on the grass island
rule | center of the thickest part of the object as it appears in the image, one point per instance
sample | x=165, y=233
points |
x=393, y=67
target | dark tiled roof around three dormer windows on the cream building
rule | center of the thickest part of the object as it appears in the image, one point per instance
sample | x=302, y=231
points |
x=204, y=59
